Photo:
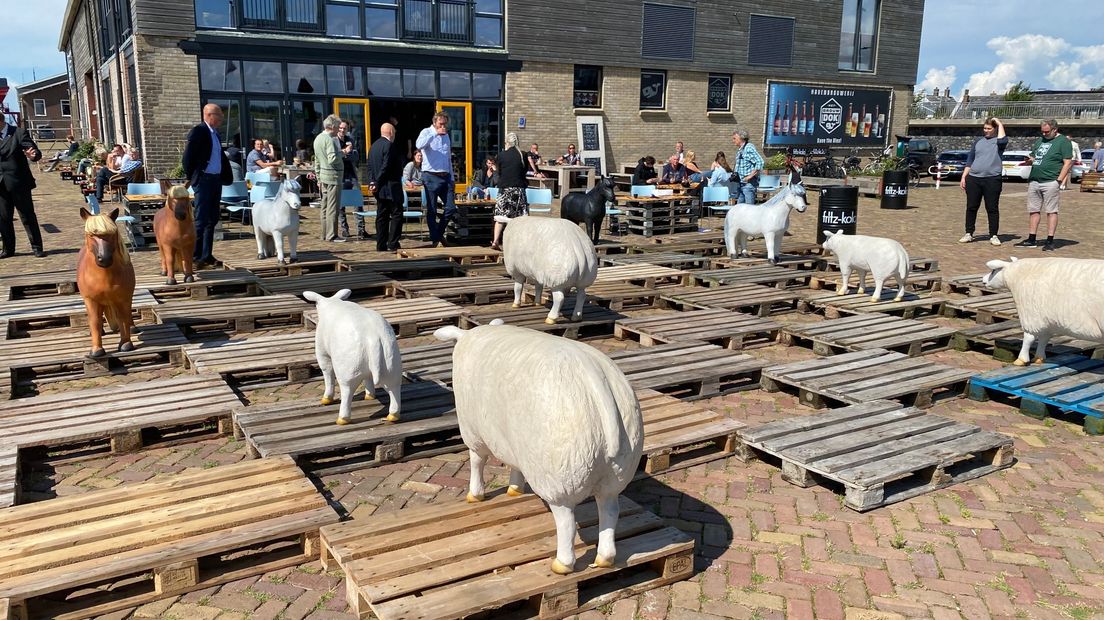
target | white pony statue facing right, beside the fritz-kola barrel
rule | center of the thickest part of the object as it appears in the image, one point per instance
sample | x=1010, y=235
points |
x=770, y=220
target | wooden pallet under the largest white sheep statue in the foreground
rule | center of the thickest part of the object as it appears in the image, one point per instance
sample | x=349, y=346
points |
x=457, y=560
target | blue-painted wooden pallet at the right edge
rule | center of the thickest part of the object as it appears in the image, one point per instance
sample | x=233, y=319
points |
x=1070, y=383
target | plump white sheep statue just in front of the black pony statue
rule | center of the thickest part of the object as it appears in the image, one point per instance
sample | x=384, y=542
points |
x=550, y=253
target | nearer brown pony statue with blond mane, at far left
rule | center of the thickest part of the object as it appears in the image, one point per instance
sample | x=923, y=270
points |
x=107, y=281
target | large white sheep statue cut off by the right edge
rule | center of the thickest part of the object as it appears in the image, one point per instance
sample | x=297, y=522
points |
x=1054, y=297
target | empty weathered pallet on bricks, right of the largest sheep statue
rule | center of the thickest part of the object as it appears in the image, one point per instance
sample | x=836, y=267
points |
x=879, y=452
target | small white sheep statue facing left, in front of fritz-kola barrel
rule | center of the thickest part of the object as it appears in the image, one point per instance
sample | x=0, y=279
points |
x=878, y=255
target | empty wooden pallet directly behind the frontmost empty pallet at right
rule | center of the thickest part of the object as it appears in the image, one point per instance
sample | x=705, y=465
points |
x=866, y=376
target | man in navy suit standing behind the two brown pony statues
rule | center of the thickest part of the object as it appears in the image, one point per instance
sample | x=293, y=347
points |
x=208, y=170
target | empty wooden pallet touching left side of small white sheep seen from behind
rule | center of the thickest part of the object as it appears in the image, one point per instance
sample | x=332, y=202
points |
x=260, y=360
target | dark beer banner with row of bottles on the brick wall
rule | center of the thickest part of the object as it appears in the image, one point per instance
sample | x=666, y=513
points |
x=824, y=115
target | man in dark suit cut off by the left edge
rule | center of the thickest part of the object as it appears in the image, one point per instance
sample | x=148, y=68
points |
x=17, y=149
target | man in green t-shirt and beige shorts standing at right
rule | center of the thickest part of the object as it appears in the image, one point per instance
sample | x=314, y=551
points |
x=1052, y=158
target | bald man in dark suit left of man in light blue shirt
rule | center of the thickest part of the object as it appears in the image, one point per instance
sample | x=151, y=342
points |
x=386, y=180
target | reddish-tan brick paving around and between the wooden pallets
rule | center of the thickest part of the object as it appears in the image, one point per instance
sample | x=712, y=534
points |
x=1024, y=543
